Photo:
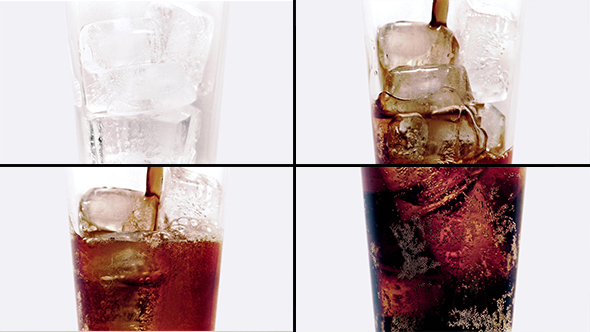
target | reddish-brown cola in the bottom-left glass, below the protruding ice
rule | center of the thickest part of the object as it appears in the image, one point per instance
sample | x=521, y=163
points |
x=144, y=280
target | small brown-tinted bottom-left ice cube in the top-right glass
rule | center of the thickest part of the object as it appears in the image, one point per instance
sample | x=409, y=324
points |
x=407, y=137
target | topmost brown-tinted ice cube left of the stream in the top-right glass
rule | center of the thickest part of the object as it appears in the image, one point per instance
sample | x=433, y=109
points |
x=415, y=44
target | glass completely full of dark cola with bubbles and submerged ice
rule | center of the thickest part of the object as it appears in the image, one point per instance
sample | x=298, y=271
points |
x=443, y=246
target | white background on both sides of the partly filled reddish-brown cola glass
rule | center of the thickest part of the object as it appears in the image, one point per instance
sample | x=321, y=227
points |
x=37, y=281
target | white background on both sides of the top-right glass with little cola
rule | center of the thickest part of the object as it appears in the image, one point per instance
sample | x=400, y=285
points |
x=332, y=101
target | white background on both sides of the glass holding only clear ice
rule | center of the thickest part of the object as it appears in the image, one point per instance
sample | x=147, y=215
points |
x=36, y=103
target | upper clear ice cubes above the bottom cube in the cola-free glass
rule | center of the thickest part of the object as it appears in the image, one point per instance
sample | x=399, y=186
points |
x=149, y=63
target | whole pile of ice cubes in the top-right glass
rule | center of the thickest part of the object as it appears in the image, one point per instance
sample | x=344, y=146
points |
x=434, y=106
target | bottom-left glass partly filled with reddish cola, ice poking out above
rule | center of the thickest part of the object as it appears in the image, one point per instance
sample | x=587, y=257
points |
x=146, y=246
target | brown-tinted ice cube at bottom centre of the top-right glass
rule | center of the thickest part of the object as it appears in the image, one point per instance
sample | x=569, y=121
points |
x=453, y=136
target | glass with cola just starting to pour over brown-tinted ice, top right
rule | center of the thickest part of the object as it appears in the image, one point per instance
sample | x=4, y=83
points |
x=443, y=79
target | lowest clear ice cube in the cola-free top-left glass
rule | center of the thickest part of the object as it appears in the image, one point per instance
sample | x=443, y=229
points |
x=154, y=138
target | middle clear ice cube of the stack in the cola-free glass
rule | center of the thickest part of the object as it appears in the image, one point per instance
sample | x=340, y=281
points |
x=140, y=88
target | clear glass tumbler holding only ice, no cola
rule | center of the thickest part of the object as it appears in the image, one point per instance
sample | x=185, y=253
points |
x=147, y=79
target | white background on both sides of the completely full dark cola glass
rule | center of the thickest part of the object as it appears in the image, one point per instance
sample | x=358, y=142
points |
x=333, y=290
